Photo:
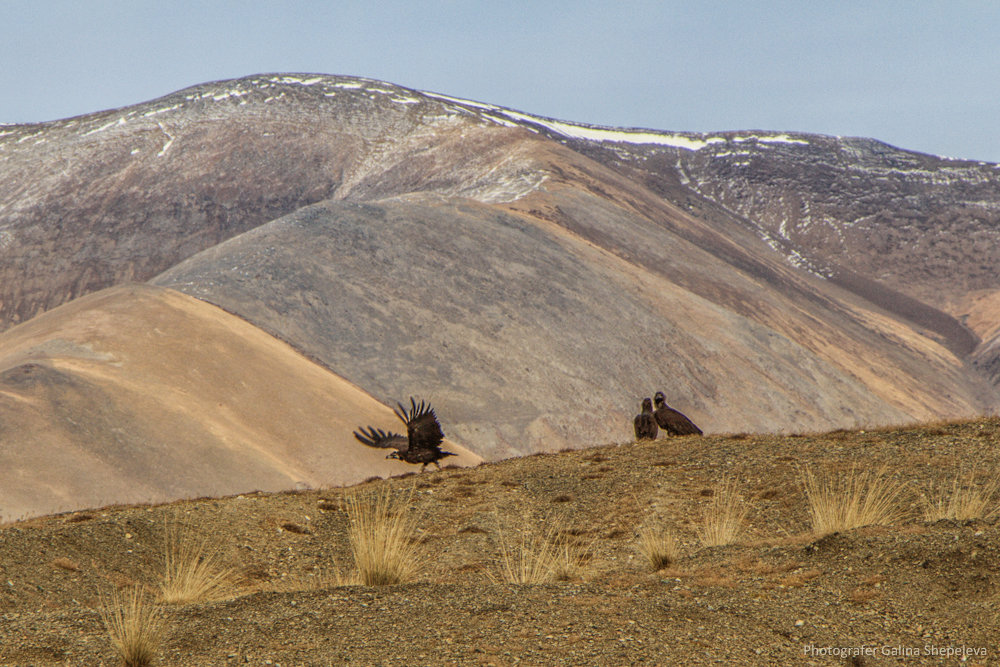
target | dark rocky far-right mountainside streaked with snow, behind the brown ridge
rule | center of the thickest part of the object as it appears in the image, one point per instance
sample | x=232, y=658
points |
x=911, y=233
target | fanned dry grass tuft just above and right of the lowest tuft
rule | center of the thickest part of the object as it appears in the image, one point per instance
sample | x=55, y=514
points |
x=194, y=570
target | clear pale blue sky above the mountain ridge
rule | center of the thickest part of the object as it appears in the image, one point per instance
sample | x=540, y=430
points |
x=921, y=75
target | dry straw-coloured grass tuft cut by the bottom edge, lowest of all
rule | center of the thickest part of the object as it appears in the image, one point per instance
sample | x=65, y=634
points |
x=134, y=626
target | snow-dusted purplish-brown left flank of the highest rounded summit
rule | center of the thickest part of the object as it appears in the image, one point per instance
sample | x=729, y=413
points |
x=124, y=194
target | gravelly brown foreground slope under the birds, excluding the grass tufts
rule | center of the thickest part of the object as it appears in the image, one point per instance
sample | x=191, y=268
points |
x=765, y=600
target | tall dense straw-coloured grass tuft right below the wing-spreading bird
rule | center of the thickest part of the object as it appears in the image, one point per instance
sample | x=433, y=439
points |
x=383, y=538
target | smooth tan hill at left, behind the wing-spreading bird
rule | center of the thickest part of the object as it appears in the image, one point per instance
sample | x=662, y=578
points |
x=141, y=394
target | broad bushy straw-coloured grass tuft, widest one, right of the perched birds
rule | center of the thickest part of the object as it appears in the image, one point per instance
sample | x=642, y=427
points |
x=852, y=500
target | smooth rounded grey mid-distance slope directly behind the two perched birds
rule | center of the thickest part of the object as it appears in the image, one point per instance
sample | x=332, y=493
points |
x=531, y=336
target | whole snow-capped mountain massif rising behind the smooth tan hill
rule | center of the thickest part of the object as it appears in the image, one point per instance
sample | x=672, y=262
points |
x=534, y=278
